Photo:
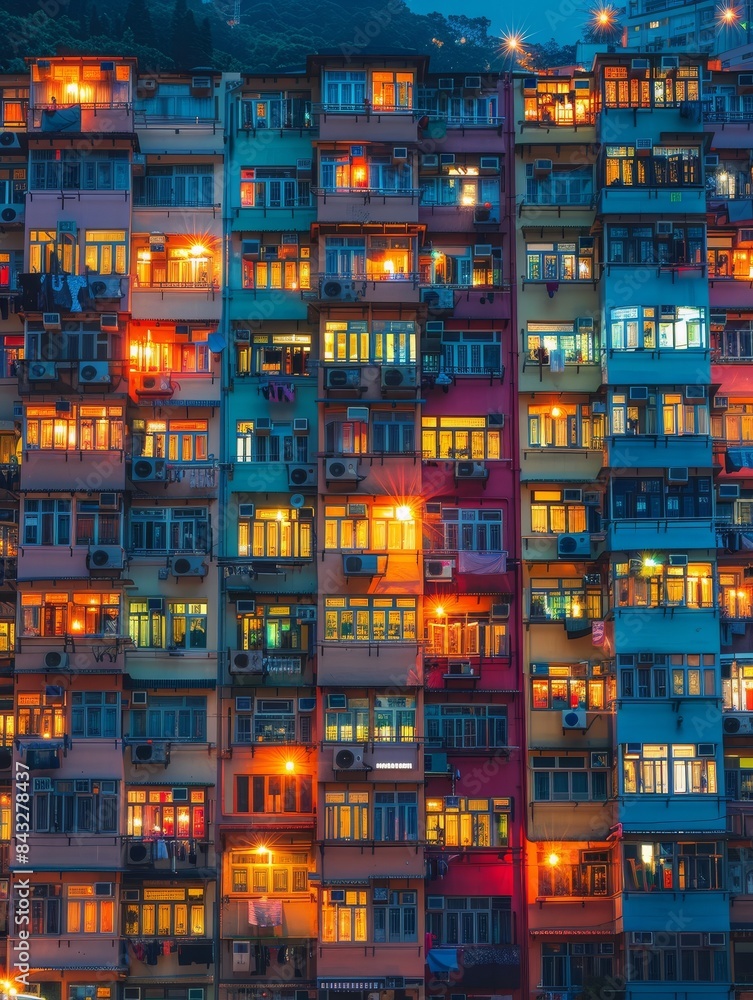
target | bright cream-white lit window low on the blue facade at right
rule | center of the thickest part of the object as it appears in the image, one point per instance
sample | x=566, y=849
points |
x=659, y=769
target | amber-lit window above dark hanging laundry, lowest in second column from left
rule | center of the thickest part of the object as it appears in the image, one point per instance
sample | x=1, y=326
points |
x=166, y=912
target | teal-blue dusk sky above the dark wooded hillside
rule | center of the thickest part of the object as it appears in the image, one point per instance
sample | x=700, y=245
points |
x=545, y=23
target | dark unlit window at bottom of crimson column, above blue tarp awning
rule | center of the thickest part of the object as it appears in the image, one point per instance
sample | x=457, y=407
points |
x=470, y=919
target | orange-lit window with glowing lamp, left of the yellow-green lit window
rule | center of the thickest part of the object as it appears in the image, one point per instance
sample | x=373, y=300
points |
x=58, y=613
